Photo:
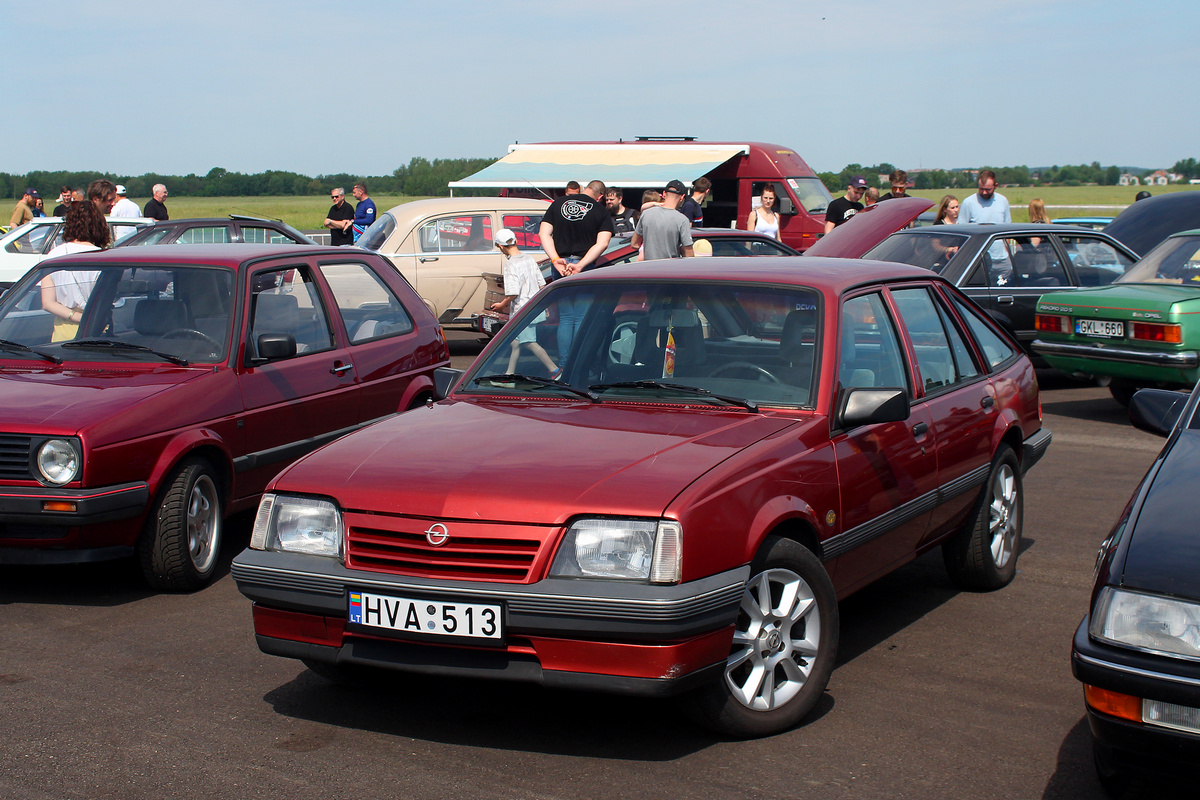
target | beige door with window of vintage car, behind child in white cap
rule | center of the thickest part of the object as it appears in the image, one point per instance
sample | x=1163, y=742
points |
x=453, y=252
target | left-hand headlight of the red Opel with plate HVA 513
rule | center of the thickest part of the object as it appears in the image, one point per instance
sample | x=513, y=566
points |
x=293, y=525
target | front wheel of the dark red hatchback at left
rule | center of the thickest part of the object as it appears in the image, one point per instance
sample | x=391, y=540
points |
x=182, y=540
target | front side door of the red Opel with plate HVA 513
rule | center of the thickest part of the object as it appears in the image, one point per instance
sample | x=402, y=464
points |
x=887, y=473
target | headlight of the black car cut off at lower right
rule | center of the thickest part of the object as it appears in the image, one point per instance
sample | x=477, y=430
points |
x=1150, y=623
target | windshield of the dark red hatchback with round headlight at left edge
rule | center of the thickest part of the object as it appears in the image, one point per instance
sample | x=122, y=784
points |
x=85, y=314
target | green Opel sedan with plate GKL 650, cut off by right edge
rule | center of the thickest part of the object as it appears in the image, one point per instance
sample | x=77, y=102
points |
x=1142, y=330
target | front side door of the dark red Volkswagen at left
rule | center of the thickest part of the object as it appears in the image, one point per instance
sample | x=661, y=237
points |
x=297, y=402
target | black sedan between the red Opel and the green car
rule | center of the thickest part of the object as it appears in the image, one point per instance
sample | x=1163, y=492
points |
x=1006, y=268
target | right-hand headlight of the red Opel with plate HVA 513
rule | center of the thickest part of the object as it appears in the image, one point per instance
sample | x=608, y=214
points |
x=621, y=550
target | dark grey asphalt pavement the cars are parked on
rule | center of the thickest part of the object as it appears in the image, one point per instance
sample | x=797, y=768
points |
x=109, y=690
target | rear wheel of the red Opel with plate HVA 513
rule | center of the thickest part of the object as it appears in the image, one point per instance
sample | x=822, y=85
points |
x=982, y=557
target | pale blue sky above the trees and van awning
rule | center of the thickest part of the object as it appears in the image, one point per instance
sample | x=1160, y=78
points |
x=362, y=87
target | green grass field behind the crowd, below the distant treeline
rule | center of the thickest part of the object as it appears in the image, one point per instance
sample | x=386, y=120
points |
x=308, y=213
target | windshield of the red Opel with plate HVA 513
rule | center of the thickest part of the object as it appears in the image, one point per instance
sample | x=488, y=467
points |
x=663, y=342
